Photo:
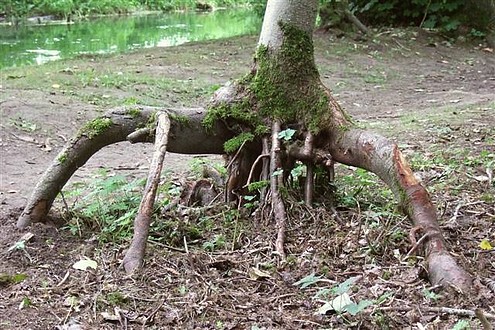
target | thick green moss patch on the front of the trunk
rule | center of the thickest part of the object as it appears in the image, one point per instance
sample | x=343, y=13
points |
x=287, y=84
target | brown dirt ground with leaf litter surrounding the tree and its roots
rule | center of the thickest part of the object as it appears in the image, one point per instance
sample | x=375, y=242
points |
x=437, y=100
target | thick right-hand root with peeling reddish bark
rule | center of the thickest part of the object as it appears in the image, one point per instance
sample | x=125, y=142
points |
x=377, y=154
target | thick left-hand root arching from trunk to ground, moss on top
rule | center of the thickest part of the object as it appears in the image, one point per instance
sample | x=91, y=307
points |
x=133, y=124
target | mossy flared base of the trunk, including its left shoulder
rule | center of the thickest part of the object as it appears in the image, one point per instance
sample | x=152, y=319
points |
x=284, y=85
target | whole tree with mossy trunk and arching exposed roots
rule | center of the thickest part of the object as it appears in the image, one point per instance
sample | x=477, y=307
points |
x=281, y=96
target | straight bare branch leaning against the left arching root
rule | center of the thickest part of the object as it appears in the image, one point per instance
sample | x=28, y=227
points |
x=135, y=255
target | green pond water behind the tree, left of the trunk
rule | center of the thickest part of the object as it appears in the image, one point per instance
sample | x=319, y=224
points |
x=38, y=44
